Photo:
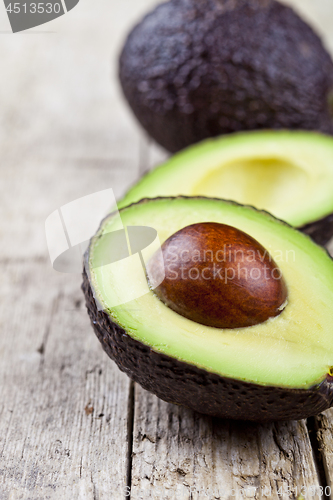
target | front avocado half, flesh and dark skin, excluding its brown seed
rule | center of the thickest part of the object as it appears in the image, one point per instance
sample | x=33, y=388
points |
x=277, y=370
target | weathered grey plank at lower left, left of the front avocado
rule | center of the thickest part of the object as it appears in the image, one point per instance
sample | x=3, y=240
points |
x=64, y=405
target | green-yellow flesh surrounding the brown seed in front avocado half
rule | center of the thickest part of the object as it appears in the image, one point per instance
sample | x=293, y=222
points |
x=292, y=350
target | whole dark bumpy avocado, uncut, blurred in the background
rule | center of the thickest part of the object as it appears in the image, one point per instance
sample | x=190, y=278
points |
x=194, y=69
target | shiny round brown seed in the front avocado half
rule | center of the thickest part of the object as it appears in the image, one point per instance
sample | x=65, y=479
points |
x=218, y=276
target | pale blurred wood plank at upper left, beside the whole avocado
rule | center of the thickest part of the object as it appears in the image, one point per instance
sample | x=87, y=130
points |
x=65, y=129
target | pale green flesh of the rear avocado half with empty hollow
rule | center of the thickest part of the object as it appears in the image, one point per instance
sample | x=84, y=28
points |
x=287, y=173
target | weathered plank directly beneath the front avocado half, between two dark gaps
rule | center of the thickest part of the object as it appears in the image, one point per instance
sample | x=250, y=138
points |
x=178, y=454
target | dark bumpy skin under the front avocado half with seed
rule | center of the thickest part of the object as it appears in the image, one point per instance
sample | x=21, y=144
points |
x=208, y=393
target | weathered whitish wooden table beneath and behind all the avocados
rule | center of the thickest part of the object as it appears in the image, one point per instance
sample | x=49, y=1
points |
x=72, y=426
